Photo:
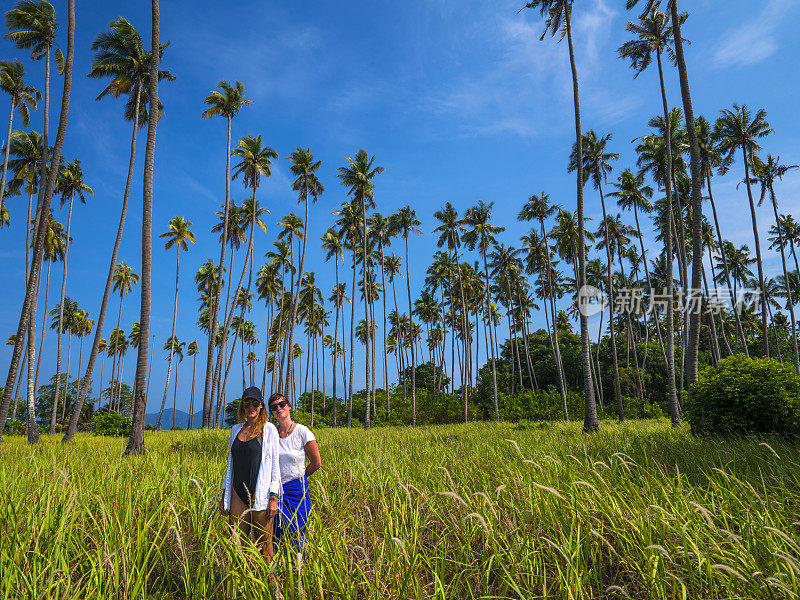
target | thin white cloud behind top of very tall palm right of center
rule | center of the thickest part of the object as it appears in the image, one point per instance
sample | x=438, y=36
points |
x=524, y=85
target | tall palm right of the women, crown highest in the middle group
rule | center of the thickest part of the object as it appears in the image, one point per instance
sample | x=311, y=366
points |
x=358, y=177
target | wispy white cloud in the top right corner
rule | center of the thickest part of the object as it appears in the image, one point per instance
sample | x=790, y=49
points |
x=754, y=40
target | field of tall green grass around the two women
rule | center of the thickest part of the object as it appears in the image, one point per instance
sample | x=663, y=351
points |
x=637, y=510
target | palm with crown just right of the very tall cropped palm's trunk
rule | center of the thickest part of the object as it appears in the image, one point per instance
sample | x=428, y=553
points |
x=596, y=165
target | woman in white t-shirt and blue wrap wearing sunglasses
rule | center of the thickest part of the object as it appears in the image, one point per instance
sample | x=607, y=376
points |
x=296, y=444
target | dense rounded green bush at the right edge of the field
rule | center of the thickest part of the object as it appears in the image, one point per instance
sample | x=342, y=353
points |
x=745, y=395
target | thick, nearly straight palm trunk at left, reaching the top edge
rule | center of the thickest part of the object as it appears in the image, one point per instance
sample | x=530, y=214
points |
x=136, y=441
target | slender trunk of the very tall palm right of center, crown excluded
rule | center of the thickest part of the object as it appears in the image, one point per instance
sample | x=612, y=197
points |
x=590, y=422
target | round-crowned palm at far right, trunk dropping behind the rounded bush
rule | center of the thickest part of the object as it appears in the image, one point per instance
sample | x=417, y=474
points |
x=739, y=129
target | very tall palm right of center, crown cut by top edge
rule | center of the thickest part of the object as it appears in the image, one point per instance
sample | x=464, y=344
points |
x=559, y=21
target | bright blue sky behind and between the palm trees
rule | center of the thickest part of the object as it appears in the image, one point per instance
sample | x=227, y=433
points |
x=459, y=101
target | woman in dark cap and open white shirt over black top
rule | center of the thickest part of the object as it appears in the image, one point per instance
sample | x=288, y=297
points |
x=252, y=479
